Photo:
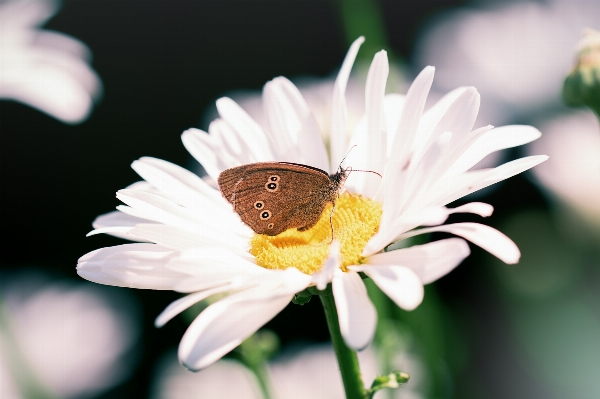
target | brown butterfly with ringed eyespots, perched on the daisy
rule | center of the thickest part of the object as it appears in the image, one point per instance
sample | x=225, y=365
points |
x=272, y=197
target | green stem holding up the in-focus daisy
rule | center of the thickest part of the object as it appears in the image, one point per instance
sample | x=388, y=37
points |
x=347, y=359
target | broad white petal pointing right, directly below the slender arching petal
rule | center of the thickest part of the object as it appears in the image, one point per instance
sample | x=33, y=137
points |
x=429, y=261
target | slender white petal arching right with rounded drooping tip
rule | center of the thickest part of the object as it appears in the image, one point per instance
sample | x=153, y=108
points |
x=486, y=237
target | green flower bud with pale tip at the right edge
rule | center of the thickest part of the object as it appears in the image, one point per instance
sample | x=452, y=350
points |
x=582, y=86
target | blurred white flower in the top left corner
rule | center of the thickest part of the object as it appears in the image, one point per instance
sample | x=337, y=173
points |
x=44, y=69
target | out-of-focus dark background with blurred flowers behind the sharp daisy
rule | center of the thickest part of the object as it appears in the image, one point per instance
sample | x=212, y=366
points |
x=88, y=86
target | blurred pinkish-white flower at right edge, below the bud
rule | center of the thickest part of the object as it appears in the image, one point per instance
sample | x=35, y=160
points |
x=573, y=172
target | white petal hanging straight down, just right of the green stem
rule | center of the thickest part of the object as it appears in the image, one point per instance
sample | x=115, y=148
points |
x=356, y=313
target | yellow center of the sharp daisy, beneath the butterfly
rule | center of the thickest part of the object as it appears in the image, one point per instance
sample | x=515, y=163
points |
x=355, y=220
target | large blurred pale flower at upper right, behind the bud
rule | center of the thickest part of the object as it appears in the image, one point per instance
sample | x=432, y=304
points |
x=517, y=55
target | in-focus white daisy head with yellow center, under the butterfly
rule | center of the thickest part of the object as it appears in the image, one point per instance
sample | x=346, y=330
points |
x=192, y=241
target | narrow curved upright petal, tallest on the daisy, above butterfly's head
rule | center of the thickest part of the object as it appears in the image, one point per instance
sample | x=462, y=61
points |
x=339, y=110
